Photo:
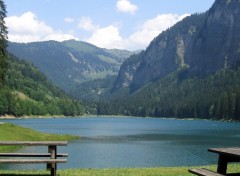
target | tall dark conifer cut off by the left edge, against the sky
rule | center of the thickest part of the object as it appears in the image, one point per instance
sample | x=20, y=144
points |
x=3, y=42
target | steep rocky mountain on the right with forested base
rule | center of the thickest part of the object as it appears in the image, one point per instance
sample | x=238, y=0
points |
x=191, y=70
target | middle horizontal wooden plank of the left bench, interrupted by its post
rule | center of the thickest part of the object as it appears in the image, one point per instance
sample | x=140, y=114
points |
x=31, y=155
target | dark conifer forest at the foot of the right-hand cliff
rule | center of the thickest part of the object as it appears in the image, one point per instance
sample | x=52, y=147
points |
x=216, y=96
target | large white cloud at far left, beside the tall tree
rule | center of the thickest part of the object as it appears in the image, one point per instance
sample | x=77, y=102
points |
x=27, y=28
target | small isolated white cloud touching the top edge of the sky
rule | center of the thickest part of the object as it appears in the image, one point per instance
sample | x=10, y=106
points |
x=126, y=6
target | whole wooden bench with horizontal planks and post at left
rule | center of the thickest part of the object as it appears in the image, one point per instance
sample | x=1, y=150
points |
x=50, y=158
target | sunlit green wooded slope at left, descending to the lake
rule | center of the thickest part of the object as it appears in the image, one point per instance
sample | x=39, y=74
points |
x=27, y=92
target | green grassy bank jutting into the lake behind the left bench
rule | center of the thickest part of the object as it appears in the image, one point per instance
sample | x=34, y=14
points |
x=10, y=132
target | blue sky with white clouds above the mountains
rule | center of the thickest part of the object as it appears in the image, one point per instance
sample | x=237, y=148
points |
x=121, y=24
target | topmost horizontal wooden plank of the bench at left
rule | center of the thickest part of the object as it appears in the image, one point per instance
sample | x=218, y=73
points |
x=35, y=143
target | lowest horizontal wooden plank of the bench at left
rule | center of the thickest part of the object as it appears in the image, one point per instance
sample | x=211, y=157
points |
x=31, y=161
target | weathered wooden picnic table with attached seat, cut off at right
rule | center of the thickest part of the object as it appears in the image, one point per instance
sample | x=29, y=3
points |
x=225, y=156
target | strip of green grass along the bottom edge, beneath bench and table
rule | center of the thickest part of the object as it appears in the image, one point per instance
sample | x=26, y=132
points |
x=162, y=171
